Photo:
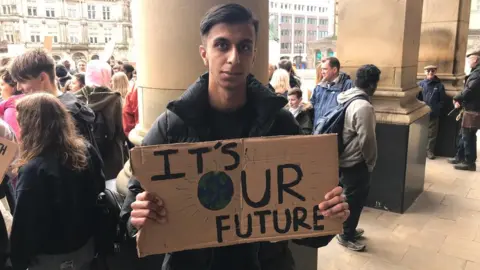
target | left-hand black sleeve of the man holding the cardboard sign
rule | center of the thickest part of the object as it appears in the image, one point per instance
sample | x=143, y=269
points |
x=156, y=135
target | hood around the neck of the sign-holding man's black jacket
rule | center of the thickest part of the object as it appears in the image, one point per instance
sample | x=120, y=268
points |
x=193, y=103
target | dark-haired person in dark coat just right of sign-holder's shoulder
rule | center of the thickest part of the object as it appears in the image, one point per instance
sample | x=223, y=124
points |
x=302, y=111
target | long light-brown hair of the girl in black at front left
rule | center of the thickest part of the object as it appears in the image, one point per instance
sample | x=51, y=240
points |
x=47, y=127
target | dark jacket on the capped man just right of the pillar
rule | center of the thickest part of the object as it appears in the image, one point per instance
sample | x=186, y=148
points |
x=433, y=94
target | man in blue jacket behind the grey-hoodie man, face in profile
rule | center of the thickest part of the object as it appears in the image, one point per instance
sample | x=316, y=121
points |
x=324, y=97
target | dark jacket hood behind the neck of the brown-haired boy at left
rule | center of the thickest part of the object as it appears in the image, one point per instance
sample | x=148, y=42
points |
x=97, y=98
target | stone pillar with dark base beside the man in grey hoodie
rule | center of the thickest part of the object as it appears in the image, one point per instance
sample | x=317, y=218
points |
x=388, y=36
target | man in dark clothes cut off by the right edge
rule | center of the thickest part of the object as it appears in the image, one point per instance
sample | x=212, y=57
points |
x=469, y=103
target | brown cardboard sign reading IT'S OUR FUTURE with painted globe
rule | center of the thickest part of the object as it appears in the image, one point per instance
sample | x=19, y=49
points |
x=237, y=191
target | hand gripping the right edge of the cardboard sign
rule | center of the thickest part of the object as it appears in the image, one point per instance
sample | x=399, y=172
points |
x=334, y=205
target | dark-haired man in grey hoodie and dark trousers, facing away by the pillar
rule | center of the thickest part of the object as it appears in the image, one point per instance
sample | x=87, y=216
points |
x=360, y=154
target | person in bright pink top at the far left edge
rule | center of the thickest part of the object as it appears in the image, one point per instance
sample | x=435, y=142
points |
x=10, y=95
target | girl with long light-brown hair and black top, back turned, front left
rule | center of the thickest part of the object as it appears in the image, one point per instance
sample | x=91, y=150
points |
x=59, y=179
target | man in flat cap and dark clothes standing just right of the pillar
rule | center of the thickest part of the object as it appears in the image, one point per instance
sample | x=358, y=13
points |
x=433, y=94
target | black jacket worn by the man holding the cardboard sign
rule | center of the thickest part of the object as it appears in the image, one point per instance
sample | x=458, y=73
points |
x=184, y=121
